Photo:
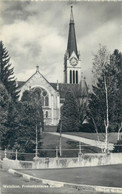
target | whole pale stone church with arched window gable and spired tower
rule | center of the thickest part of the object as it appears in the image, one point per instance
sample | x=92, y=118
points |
x=53, y=94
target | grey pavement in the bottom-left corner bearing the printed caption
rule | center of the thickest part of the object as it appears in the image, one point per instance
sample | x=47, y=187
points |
x=13, y=180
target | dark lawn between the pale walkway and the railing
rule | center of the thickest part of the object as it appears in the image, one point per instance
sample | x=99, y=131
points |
x=70, y=148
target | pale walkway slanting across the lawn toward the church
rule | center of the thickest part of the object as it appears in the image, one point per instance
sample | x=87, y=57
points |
x=91, y=142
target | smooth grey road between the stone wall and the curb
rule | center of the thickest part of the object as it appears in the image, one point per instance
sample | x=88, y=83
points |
x=110, y=176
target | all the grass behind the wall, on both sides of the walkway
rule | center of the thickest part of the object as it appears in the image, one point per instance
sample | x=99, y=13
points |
x=51, y=141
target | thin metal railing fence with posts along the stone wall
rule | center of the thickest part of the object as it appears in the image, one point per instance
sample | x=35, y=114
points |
x=51, y=153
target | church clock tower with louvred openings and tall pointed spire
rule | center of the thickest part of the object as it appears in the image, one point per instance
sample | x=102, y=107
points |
x=72, y=66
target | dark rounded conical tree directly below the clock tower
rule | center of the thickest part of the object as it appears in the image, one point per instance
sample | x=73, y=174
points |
x=69, y=114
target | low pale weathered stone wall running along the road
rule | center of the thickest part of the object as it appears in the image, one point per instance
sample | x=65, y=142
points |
x=82, y=161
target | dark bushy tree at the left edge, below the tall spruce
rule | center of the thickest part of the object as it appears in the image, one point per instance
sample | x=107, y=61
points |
x=4, y=103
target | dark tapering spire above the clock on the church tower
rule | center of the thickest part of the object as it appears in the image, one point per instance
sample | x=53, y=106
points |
x=72, y=44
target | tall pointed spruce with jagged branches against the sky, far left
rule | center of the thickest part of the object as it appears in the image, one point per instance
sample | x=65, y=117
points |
x=7, y=73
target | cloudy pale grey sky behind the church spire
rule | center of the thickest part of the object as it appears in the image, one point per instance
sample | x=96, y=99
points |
x=36, y=32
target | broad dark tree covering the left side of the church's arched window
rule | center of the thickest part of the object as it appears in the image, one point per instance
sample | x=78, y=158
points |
x=23, y=117
